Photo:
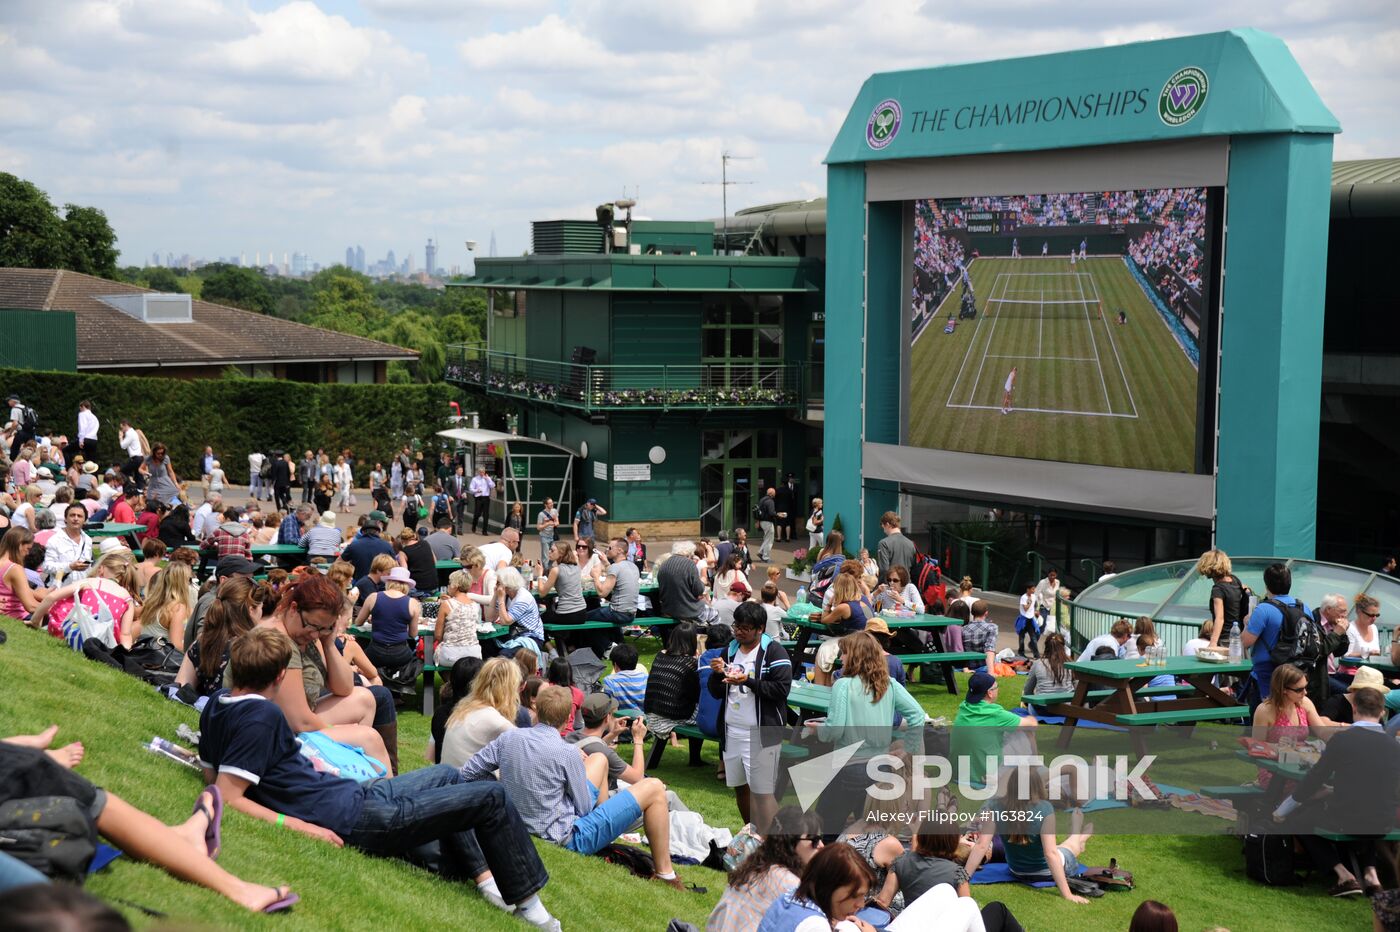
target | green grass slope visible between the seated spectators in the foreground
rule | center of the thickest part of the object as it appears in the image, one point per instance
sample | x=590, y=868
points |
x=43, y=682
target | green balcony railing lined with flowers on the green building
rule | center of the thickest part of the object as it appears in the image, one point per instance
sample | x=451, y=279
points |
x=629, y=387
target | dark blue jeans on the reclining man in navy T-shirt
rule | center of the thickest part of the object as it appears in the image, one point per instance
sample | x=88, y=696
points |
x=435, y=804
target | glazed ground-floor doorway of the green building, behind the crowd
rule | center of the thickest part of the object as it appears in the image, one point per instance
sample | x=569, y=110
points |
x=736, y=469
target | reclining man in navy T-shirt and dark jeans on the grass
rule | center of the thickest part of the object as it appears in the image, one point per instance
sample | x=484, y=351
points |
x=250, y=754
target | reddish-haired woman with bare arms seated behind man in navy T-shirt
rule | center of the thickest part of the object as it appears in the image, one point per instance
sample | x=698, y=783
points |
x=318, y=693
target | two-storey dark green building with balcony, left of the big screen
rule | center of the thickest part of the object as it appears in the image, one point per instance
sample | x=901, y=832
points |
x=687, y=379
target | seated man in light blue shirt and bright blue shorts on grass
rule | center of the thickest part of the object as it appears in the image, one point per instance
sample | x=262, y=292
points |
x=565, y=800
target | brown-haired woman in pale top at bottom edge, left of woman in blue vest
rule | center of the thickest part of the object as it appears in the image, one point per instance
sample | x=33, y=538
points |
x=772, y=871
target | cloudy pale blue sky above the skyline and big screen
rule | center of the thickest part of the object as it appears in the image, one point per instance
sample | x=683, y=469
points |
x=226, y=127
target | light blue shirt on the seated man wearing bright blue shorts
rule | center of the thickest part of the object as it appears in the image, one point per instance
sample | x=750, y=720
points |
x=542, y=775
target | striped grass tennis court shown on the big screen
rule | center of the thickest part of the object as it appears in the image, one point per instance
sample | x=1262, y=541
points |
x=1087, y=390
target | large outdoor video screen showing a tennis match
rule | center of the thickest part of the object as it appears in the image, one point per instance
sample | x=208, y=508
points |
x=1062, y=327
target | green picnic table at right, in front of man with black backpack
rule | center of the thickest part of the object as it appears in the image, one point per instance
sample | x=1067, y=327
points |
x=1129, y=706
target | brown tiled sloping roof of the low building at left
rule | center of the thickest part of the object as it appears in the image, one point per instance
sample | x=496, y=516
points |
x=218, y=335
